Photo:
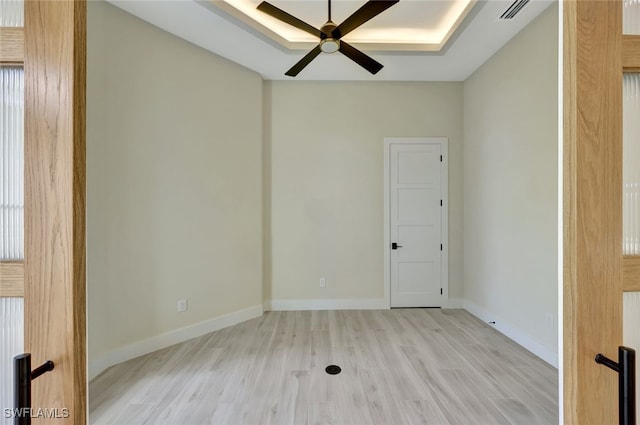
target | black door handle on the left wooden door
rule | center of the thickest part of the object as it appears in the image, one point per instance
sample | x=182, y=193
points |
x=23, y=376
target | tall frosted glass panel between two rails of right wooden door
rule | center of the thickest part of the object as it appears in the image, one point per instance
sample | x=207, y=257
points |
x=631, y=165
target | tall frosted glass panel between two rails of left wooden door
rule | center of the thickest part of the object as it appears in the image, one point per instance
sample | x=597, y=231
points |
x=11, y=164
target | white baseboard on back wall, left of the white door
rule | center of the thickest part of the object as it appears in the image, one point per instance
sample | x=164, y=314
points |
x=327, y=304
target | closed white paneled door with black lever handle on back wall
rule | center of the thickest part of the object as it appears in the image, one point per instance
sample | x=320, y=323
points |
x=415, y=212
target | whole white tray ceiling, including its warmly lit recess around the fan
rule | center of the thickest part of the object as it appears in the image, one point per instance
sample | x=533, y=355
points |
x=221, y=28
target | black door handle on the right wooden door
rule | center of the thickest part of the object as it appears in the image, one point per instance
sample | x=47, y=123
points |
x=626, y=368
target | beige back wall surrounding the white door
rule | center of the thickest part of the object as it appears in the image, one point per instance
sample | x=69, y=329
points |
x=326, y=192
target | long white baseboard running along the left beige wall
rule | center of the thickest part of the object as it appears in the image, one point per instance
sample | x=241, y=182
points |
x=128, y=352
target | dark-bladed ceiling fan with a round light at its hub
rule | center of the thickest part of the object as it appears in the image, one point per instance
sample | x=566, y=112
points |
x=330, y=34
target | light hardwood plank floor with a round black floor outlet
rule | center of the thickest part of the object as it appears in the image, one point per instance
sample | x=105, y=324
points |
x=405, y=366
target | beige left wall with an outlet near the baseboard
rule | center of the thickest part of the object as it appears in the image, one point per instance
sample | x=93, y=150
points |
x=174, y=203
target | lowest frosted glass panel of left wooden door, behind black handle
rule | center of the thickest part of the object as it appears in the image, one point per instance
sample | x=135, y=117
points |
x=11, y=335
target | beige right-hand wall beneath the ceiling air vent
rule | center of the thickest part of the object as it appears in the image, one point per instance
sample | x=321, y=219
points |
x=510, y=184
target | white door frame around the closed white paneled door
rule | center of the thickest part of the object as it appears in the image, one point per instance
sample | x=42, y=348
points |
x=444, y=223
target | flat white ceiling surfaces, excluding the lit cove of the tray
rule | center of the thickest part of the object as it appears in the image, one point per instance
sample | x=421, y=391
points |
x=205, y=24
